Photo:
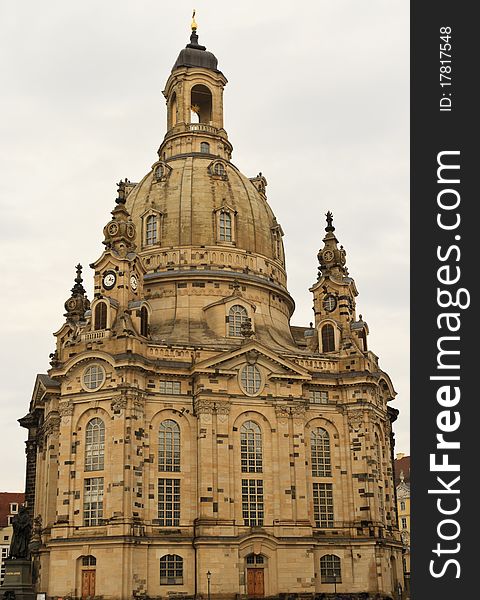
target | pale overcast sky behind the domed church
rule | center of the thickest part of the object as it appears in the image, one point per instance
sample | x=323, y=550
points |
x=317, y=100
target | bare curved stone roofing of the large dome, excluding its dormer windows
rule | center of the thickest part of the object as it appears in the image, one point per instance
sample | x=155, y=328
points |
x=189, y=197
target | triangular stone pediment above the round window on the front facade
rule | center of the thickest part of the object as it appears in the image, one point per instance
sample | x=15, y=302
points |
x=252, y=352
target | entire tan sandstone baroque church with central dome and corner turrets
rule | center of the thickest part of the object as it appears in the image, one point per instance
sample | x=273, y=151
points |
x=187, y=440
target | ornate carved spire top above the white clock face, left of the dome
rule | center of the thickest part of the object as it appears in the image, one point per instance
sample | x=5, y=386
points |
x=120, y=232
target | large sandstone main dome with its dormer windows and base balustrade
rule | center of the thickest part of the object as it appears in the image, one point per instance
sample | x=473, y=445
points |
x=206, y=215
